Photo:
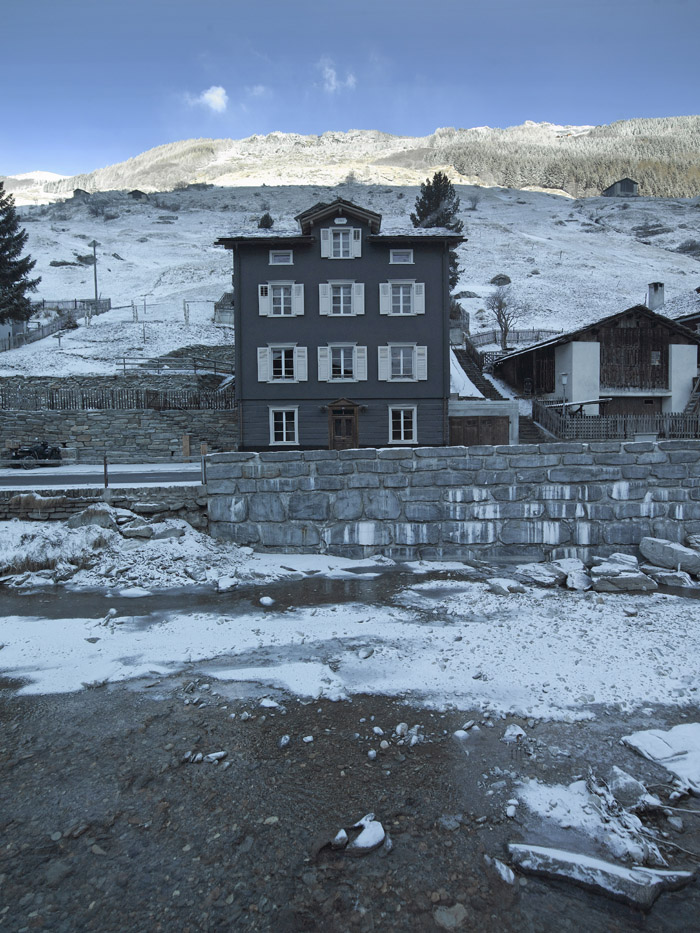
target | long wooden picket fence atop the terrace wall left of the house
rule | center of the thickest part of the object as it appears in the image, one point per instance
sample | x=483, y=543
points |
x=114, y=399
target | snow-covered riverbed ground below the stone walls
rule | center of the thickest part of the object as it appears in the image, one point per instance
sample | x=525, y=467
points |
x=547, y=653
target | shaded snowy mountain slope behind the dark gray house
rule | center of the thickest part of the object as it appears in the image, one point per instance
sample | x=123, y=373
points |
x=570, y=261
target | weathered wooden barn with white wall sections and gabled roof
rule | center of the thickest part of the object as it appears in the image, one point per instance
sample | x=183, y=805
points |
x=638, y=361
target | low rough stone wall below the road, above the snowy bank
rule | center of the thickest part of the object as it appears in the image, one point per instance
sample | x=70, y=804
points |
x=188, y=502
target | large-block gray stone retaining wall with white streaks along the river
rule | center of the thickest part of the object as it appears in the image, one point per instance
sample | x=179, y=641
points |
x=521, y=503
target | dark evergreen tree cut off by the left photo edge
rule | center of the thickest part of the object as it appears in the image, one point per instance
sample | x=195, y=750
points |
x=14, y=268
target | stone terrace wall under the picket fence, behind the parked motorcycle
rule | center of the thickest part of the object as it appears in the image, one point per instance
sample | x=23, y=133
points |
x=124, y=436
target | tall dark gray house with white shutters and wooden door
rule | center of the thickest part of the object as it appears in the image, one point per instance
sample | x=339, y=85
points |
x=342, y=333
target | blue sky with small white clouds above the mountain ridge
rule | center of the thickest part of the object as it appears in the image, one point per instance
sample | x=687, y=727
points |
x=88, y=83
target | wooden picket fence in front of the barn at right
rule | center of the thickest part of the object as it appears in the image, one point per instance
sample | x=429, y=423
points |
x=613, y=427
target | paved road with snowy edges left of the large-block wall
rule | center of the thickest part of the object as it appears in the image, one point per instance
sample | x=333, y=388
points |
x=131, y=474
